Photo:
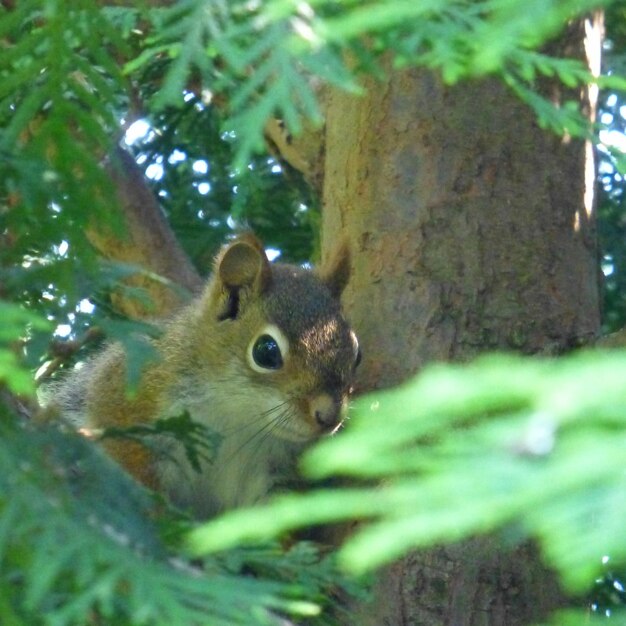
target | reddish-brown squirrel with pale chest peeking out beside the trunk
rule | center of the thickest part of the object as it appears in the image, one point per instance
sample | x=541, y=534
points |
x=263, y=357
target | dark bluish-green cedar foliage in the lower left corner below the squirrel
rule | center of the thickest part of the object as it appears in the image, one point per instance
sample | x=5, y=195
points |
x=81, y=543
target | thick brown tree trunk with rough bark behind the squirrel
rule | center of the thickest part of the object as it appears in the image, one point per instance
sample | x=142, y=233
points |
x=472, y=230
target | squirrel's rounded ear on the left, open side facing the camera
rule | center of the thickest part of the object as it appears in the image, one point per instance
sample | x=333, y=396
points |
x=243, y=264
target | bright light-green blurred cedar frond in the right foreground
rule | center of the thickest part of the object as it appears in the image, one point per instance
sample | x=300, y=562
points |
x=517, y=447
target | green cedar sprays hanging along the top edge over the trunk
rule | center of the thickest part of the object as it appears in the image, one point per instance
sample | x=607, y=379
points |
x=266, y=58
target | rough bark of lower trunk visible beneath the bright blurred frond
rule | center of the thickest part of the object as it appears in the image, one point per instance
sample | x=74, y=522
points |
x=476, y=583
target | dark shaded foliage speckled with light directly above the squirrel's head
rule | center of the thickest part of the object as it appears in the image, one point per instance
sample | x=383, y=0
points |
x=207, y=199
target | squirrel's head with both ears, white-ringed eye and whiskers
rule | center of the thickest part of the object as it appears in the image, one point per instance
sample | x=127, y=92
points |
x=283, y=336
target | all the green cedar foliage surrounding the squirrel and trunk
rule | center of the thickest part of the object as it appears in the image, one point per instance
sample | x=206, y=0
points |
x=79, y=542
